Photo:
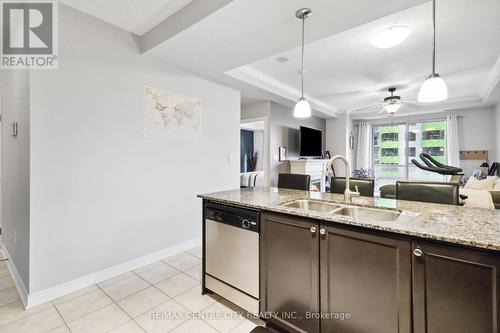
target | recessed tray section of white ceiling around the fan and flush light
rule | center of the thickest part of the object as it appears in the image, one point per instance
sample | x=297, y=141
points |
x=345, y=72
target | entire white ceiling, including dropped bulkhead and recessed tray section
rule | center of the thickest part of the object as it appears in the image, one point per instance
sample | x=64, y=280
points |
x=236, y=43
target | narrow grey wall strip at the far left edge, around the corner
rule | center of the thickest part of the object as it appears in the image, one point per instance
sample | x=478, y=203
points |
x=14, y=90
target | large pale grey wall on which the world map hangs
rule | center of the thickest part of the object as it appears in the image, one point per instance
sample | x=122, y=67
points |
x=101, y=193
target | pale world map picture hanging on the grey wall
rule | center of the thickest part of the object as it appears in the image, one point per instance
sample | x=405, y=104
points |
x=171, y=115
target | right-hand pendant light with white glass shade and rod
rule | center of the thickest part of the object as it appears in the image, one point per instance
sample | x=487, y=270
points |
x=434, y=88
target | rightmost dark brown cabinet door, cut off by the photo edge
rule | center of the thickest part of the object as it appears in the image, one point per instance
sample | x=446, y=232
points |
x=455, y=290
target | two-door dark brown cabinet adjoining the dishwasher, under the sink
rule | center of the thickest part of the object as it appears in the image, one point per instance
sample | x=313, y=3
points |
x=363, y=277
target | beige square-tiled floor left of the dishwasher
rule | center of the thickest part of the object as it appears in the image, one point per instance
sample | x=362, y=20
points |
x=161, y=297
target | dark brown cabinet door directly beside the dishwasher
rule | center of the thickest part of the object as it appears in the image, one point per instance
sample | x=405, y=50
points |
x=289, y=271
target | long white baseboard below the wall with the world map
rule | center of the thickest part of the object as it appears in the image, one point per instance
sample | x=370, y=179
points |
x=52, y=293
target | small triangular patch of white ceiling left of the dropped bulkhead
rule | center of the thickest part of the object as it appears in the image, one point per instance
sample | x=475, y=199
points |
x=136, y=16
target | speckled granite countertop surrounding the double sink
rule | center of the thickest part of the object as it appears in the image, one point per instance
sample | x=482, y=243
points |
x=475, y=227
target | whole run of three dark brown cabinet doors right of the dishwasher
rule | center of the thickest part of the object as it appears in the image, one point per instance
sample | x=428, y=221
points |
x=369, y=281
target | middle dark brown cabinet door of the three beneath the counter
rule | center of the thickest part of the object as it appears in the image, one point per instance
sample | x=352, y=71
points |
x=367, y=277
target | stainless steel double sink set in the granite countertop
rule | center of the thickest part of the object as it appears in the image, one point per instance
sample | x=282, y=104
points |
x=352, y=211
